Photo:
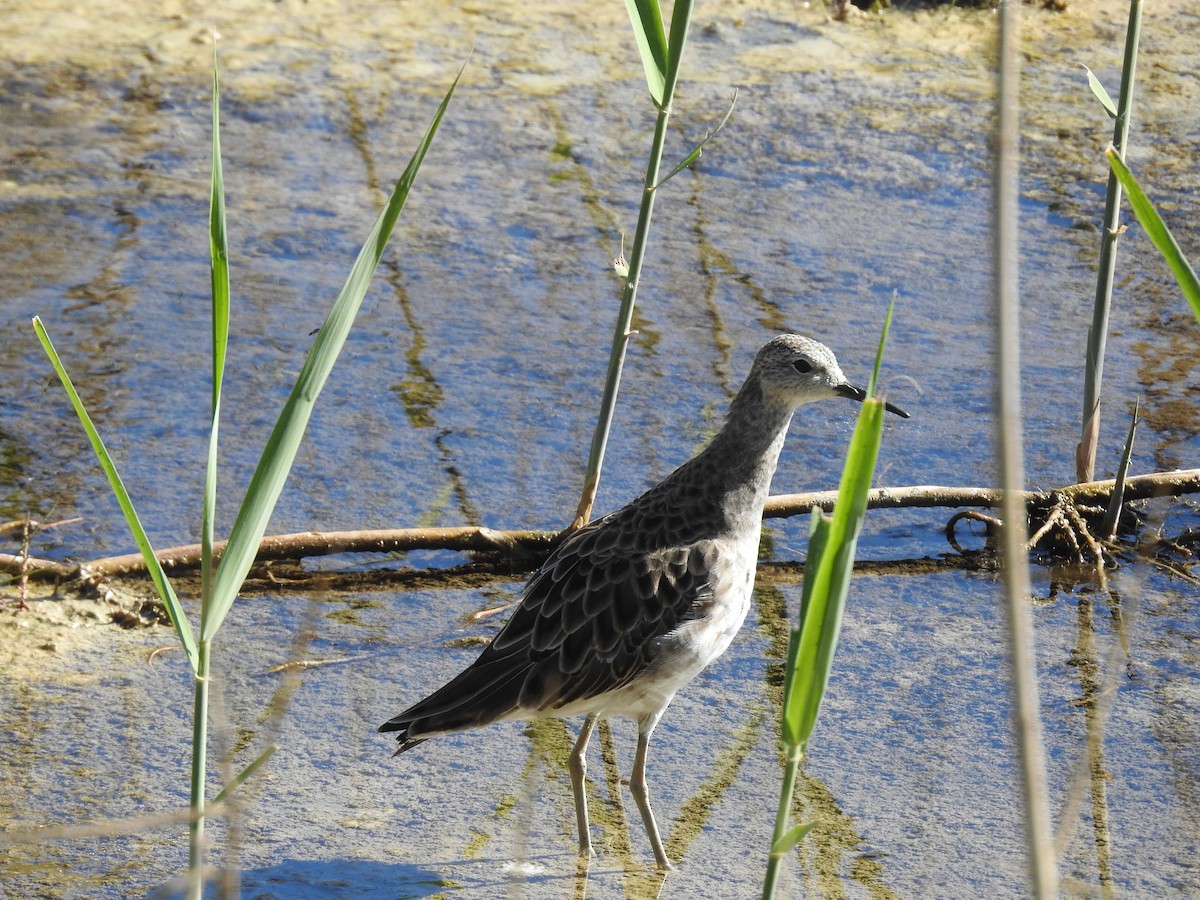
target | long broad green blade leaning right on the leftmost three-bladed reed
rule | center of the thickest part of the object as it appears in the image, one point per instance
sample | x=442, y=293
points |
x=281, y=448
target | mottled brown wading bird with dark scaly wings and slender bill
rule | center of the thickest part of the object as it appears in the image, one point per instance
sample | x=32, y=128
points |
x=633, y=607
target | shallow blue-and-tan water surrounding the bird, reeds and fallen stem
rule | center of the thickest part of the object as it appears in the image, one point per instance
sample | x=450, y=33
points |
x=855, y=165
